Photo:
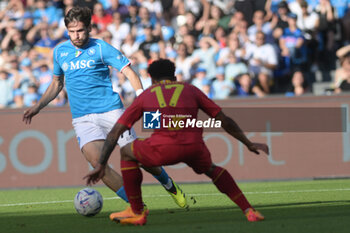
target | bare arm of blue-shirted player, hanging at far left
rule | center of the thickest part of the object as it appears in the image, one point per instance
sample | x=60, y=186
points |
x=52, y=91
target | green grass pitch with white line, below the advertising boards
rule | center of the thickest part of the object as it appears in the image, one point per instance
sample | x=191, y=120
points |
x=321, y=206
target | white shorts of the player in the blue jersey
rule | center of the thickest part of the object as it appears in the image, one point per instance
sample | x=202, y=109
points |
x=96, y=126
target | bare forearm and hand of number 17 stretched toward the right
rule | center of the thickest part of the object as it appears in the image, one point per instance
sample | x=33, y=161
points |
x=231, y=127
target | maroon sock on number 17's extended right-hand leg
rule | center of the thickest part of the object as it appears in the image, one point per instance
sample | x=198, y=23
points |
x=227, y=185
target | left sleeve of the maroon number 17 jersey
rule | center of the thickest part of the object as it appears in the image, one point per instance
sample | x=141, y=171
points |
x=133, y=113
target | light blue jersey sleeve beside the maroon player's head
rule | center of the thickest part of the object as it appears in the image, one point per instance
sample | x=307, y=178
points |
x=113, y=57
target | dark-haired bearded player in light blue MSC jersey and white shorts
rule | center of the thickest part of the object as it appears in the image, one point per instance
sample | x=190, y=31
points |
x=82, y=63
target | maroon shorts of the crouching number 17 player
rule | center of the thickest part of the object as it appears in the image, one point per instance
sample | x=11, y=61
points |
x=196, y=155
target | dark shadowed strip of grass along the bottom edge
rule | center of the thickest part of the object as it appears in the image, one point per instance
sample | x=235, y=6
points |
x=330, y=216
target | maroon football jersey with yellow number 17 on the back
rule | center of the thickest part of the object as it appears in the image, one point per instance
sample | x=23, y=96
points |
x=178, y=104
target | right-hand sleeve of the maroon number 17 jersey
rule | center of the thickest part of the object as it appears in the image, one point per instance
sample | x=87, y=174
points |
x=204, y=103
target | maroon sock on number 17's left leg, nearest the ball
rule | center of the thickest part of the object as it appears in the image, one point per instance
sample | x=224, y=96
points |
x=132, y=177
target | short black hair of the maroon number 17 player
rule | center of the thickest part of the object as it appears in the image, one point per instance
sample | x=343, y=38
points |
x=162, y=69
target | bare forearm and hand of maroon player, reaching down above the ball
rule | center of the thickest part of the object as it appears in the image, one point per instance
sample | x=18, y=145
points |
x=111, y=141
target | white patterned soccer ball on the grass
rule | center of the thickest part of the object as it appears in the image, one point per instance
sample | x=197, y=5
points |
x=88, y=202
